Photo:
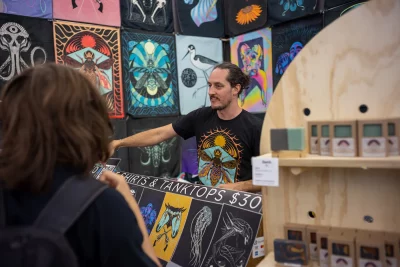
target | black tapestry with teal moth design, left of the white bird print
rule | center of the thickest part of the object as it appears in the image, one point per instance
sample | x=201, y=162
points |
x=150, y=78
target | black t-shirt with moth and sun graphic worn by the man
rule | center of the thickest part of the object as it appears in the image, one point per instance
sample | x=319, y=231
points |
x=224, y=147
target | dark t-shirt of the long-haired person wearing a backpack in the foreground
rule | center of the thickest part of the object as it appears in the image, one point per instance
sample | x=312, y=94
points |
x=106, y=234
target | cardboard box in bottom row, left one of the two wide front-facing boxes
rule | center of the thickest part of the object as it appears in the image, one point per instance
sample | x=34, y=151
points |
x=341, y=250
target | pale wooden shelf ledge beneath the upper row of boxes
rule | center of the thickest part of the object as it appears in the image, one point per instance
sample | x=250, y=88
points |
x=336, y=162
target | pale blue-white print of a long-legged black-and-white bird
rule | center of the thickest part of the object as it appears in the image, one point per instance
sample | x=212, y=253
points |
x=197, y=56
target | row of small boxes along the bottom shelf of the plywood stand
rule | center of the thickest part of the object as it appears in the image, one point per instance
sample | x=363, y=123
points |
x=337, y=247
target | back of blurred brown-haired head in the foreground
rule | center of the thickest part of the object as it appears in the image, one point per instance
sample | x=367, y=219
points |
x=51, y=114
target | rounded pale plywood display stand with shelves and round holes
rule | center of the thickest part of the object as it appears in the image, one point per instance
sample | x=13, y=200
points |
x=337, y=77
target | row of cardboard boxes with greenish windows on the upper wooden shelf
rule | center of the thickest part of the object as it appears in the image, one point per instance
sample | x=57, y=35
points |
x=372, y=138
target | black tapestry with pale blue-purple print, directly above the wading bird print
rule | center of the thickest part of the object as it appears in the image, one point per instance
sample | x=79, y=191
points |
x=200, y=17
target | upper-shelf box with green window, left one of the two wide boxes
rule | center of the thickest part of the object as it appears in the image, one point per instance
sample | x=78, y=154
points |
x=343, y=136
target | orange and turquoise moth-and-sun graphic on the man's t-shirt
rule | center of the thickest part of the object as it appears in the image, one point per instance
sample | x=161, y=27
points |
x=219, y=155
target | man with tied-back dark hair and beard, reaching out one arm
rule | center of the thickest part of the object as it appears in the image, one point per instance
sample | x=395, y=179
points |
x=227, y=136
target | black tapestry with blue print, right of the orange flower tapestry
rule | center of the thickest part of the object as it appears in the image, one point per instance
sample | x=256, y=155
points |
x=286, y=10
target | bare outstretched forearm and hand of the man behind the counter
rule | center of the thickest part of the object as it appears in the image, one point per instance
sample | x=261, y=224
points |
x=146, y=138
